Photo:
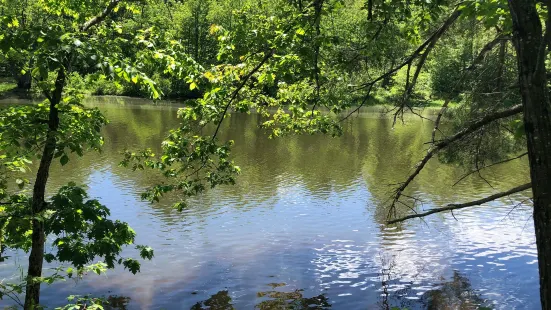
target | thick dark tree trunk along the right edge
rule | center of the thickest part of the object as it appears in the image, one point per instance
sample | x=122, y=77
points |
x=530, y=45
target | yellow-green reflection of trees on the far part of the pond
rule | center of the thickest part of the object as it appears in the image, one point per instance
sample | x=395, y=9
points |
x=370, y=150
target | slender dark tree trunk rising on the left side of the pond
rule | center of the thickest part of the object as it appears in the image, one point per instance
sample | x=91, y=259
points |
x=36, y=257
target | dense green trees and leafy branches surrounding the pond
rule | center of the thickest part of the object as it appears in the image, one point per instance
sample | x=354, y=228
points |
x=304, y=66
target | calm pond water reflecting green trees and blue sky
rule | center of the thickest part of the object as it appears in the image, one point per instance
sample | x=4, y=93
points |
x=305, y=225
